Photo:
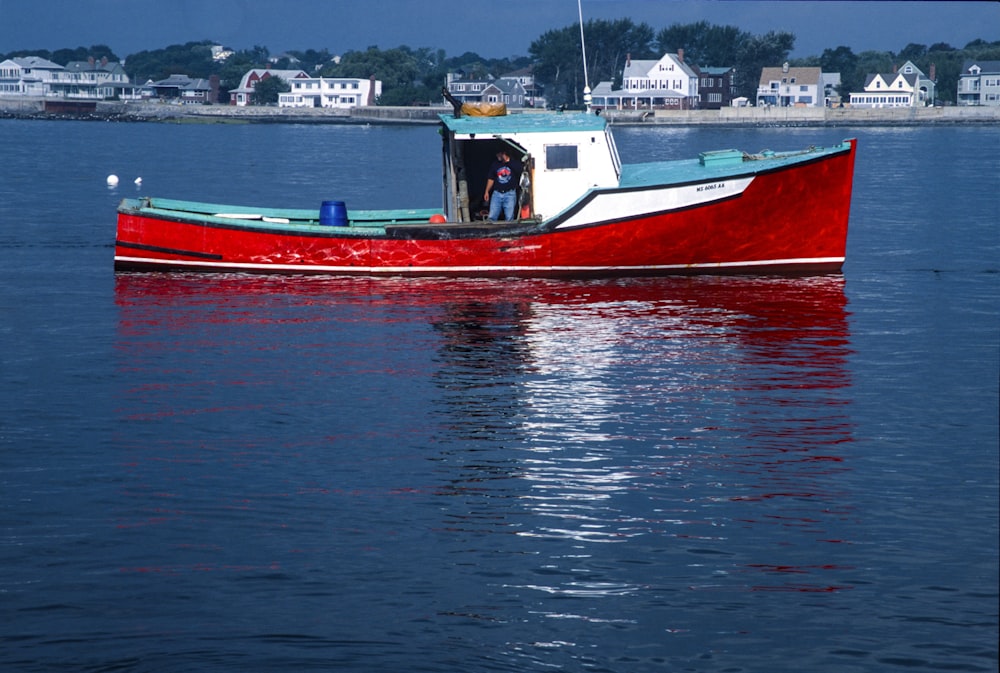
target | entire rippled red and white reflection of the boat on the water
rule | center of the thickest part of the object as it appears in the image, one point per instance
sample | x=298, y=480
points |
x=702, y=422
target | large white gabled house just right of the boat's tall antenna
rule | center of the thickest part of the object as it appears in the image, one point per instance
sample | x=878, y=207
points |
x=667, y=83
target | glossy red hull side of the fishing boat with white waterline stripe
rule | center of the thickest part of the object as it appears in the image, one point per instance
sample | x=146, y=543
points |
x=794, y=218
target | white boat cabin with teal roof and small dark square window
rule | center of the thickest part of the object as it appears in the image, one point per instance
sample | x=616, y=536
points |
x=563, y=157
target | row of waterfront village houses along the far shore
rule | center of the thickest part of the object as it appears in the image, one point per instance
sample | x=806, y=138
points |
x=651, y=90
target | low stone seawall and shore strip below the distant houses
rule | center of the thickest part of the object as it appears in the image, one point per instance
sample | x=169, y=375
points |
x=20, y=108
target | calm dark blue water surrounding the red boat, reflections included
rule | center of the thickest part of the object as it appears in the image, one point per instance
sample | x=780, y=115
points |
x=222, y=473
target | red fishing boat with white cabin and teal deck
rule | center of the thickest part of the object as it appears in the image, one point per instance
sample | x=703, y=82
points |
x=579, y=211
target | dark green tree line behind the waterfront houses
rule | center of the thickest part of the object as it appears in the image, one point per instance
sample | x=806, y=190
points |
x=415, y=76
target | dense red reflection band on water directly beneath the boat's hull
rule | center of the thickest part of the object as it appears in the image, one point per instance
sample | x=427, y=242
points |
x=784, y=306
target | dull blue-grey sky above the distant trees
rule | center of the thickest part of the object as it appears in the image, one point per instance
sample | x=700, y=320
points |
x=493, y=29
